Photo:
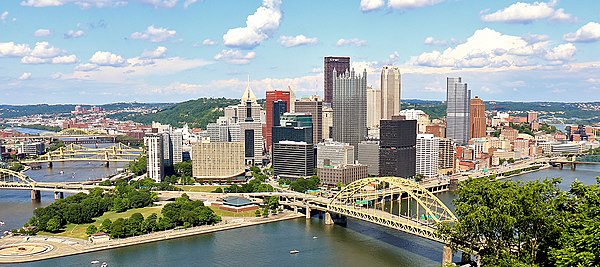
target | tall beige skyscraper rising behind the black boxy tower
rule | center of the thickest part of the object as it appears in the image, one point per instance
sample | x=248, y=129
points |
x=390, y=92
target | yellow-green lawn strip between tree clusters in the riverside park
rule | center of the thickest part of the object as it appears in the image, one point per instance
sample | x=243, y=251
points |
x=78, y=230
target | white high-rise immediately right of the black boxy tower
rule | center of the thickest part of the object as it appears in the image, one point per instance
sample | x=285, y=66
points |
x=427, y=155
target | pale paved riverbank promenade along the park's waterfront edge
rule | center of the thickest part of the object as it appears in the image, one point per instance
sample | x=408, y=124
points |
x=62, y=247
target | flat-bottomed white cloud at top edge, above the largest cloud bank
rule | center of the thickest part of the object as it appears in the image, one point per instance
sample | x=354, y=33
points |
x=527, y=13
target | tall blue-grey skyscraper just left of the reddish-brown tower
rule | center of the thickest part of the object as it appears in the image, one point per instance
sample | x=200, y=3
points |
x=457, y=111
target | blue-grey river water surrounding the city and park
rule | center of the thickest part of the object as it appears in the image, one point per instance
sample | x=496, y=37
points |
x=357, y=244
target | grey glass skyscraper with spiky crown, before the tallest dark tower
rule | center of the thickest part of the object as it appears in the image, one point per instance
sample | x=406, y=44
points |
x=350, y=108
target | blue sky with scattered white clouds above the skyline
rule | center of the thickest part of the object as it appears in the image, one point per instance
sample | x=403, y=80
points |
x=104, y=51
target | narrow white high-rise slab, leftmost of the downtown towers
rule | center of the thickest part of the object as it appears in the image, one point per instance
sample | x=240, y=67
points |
x=154, y=152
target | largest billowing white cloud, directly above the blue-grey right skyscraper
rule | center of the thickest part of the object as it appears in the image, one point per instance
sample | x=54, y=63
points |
x=489, y=48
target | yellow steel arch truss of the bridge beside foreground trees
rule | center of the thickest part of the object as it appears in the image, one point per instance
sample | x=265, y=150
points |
x=393, y=202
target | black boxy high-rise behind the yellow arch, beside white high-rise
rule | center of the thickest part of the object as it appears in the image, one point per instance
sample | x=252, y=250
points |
x=397, y=151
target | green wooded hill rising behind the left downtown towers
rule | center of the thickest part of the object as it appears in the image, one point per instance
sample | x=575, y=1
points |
x=196, y=113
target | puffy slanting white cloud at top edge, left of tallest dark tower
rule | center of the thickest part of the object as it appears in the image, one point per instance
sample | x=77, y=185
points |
x=259, y=26
